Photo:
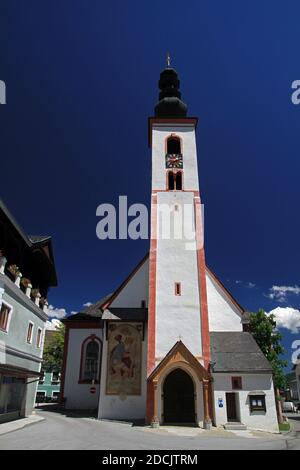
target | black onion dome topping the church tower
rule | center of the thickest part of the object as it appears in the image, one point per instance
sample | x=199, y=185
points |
x=170, y=104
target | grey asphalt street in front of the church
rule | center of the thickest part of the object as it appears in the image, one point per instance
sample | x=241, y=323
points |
x=58, y=431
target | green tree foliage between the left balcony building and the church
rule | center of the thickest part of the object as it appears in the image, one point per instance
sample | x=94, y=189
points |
x=54, y=349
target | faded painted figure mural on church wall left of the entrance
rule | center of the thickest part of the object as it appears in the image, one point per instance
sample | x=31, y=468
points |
x=124, y=359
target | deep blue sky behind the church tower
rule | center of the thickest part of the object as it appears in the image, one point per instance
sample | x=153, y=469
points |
x=81, y=82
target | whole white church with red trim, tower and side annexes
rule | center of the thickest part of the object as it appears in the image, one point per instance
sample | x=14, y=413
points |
x=171, y=345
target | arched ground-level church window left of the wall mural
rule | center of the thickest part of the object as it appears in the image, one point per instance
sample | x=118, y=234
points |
x=91, y=352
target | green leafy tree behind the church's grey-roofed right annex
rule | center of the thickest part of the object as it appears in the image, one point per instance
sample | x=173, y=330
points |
x=268, y=338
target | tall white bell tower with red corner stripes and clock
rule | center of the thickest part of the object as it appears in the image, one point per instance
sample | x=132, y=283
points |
x=177, y=284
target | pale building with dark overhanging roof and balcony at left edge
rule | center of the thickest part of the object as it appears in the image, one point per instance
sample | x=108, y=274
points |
x=22, y=314
